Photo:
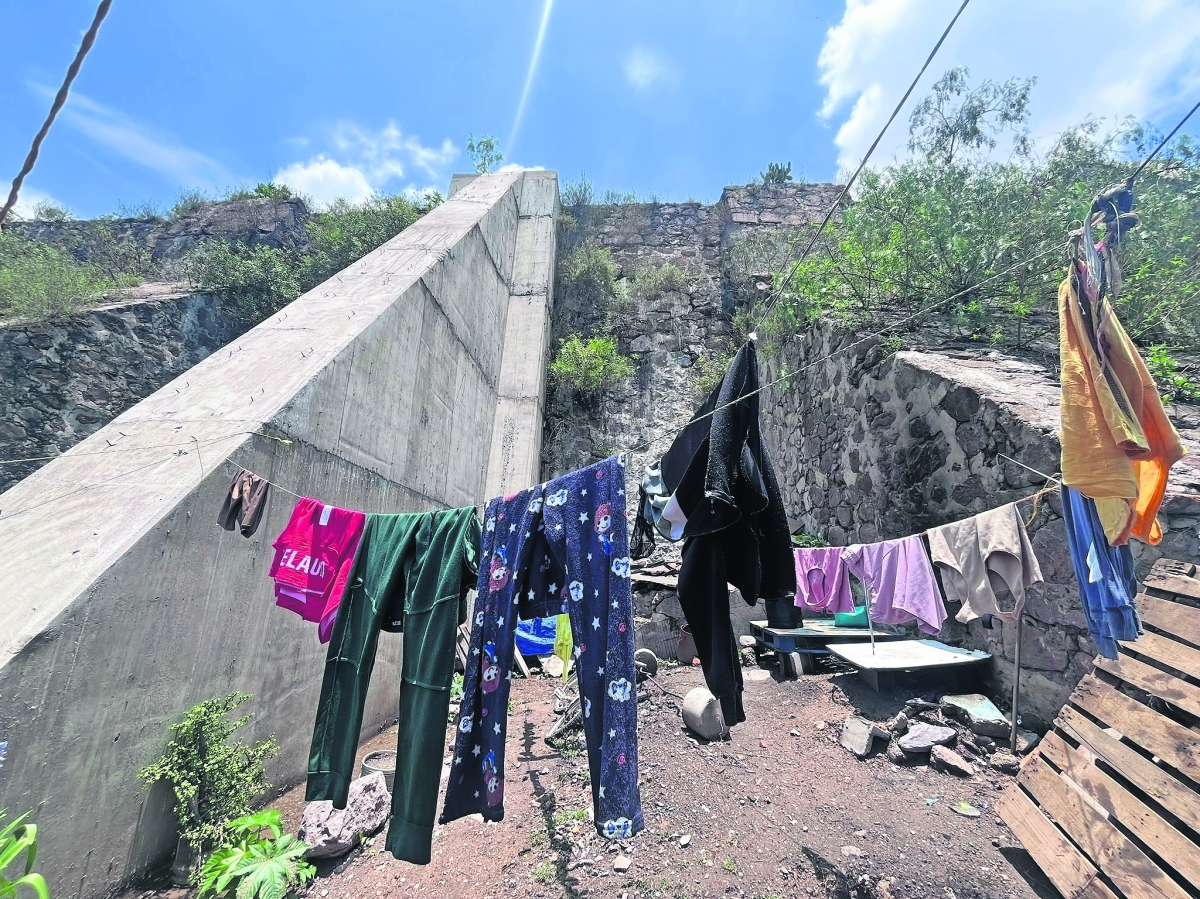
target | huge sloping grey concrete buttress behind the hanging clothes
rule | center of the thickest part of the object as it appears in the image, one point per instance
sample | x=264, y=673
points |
x=125, y=604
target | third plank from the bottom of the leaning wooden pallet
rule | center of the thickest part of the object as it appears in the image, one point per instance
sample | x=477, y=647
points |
x=1151, y=829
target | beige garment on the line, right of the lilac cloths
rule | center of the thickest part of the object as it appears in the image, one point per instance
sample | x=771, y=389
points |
x=982, y=555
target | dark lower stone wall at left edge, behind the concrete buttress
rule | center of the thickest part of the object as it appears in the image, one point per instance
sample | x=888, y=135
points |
x=62, y=381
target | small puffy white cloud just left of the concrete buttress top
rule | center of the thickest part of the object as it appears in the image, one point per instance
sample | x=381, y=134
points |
x=363, y=161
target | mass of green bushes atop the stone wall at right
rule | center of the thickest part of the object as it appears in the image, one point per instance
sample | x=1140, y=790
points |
x=956, y=213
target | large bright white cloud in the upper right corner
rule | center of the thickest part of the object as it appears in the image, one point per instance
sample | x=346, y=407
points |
x=1102, y=58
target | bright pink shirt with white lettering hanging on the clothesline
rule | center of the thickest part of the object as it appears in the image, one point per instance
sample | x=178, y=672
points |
x=313, y=561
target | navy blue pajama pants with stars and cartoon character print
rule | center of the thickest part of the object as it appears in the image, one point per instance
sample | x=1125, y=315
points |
x=563, y=544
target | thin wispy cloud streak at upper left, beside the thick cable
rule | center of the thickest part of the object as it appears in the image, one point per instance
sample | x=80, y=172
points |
x=141, y=142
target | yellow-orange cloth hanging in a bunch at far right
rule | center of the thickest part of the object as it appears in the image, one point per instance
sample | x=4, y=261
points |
x=1121, y=460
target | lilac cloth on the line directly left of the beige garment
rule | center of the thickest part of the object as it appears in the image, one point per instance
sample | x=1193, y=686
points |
x=901, y=583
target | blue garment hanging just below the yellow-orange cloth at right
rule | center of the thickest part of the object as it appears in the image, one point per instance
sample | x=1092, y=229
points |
x=1105, y=573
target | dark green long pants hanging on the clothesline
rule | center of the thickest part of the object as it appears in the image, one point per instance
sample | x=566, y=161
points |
x=422, y=565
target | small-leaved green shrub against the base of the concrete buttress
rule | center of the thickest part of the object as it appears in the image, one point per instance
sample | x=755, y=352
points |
x=215, y=781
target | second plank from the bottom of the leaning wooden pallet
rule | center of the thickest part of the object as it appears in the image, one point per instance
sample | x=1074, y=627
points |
x=1112, y=852
